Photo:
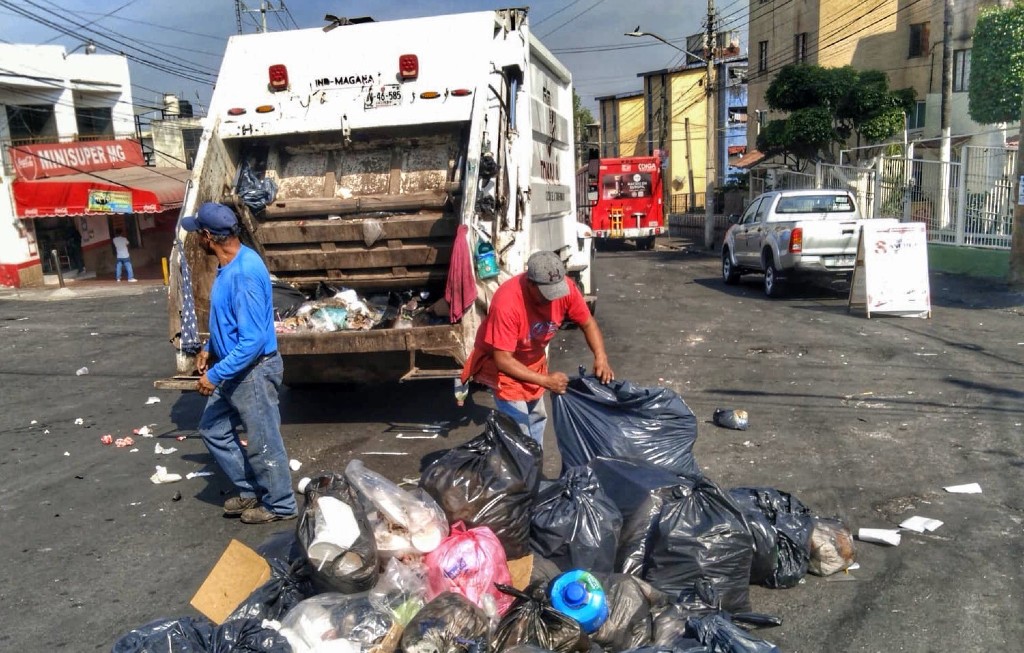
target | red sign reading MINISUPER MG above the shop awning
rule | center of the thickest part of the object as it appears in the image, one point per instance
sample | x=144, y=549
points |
x=56, y=160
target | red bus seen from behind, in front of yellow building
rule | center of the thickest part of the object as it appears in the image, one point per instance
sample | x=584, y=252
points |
x=621, y=200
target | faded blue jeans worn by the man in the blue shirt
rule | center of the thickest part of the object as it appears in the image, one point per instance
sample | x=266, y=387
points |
x=262, y=468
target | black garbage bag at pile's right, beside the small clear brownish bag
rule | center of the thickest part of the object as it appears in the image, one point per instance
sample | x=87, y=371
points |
x=782, y=527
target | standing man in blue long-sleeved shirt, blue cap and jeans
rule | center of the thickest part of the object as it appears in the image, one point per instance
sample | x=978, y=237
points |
x=242, y=374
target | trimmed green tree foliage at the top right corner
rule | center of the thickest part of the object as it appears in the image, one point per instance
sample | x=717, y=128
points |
x=998, y=66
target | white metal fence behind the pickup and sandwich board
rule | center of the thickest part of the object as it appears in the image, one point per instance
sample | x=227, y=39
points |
x=968, y=202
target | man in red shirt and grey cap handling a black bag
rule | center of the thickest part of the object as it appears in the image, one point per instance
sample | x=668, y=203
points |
x=510, y=354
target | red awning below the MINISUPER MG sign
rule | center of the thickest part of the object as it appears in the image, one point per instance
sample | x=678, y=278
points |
x=152, y=191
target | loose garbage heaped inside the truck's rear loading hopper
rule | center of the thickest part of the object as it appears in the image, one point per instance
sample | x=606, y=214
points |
x=332, y=310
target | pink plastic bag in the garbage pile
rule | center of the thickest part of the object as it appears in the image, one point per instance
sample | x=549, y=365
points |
x=471, y=562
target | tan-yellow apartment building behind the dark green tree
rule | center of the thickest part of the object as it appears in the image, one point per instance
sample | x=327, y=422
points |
x=903, y=38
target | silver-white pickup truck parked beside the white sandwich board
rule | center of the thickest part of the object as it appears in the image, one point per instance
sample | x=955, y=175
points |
x=787, y=235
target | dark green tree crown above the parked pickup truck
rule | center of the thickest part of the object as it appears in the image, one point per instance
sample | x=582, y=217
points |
x=828, y=107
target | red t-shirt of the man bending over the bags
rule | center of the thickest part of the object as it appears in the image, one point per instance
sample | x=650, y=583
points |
x=517, y=324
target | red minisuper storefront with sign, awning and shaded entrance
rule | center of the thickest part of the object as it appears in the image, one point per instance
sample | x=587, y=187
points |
x=73, y=198
